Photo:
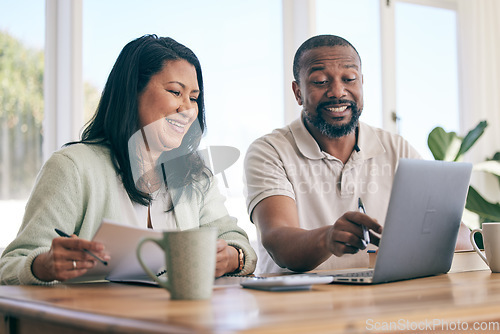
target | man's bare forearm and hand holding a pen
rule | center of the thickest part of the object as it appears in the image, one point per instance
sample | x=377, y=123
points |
x=302, y=250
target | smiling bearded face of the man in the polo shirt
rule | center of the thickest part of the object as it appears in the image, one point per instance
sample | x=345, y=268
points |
x=330, y=89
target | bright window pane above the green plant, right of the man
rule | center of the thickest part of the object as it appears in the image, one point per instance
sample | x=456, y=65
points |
x=426, y=72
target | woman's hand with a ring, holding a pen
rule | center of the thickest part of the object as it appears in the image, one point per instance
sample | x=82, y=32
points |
x=66, y=259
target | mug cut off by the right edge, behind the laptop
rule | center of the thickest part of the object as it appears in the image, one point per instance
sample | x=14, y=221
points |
x=491, y=241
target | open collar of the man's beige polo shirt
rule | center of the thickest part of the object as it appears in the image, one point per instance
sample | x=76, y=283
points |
x=368, y=142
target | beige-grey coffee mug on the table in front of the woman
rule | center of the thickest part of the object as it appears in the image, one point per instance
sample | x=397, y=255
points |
x=190, y=262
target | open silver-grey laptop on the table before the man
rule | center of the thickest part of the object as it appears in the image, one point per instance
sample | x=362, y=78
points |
x=421, y=226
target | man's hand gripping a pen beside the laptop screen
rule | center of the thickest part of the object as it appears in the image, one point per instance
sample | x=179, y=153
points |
x=345, y=236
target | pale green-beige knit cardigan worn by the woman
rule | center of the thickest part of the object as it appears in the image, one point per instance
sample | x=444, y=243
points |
x=78, y=187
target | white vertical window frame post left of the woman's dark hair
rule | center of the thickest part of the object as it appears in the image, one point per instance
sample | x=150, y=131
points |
x=63, y=81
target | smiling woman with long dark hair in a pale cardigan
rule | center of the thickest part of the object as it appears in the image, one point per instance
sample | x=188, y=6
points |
x=154, y=89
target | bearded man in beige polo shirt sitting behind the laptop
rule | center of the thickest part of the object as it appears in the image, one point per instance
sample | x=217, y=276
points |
x=304, y=180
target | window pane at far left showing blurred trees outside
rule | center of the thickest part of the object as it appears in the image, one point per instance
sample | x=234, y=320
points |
x=22, y=37
